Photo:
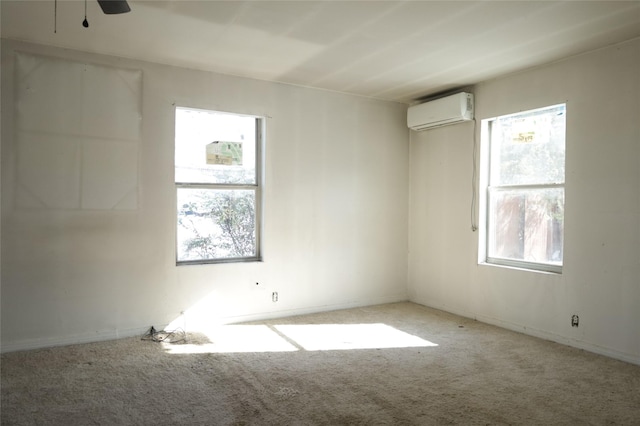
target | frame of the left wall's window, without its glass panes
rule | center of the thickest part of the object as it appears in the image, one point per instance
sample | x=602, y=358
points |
x=256, y=187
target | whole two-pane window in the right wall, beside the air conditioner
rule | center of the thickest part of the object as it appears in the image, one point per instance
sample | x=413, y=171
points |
x=525, y=189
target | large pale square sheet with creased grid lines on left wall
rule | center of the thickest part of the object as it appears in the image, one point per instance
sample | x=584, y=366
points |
x=78, y=134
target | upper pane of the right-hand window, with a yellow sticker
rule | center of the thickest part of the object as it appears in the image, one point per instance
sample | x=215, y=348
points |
x=529, y=148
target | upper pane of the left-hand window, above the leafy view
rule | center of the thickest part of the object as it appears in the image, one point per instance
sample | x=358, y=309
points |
x=214, y=147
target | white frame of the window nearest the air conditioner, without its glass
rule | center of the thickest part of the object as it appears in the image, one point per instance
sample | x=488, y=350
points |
x=490, y=191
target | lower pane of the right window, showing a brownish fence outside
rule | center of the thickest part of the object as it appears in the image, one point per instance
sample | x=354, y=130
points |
x=527, y=225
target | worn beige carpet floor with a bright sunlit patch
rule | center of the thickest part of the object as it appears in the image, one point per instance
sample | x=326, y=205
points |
x=335, y=368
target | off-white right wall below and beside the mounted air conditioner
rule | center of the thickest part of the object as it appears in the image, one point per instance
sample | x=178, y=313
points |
x=601, y=275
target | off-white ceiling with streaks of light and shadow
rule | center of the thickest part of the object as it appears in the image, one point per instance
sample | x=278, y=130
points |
x=394, y=50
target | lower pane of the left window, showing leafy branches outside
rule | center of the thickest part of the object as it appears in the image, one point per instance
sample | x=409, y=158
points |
x=216, y=224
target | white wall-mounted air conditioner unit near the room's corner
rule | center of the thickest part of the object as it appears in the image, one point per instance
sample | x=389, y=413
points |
x=441, y=112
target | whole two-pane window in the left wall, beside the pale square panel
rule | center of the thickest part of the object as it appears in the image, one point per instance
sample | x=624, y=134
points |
x=218, y=189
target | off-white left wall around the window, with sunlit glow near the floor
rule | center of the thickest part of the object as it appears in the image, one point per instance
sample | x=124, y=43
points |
x=335, y=218
